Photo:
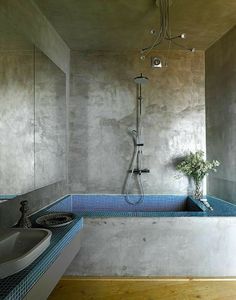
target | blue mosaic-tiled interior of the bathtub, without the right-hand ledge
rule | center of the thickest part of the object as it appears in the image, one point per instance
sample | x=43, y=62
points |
x=115, y=205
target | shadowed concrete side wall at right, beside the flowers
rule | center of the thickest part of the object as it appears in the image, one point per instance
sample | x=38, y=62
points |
x=221, y=115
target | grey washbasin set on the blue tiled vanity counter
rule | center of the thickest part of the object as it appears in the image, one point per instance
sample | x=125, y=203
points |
x=19, y=247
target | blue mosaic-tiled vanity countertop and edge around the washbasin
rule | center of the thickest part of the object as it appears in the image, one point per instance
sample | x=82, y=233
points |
x=16, y=286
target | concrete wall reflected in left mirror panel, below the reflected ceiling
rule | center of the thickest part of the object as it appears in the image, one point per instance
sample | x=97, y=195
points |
x=16, y=122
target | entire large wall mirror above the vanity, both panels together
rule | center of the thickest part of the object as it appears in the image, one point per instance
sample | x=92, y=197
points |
x=33, y=116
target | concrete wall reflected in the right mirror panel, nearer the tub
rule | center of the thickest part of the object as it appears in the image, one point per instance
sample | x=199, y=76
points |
x=50, y=122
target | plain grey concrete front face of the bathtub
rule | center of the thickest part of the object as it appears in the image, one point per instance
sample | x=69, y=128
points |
x=157, y=247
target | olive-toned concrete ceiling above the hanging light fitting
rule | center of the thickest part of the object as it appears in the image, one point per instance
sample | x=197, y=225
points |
x=125, y=24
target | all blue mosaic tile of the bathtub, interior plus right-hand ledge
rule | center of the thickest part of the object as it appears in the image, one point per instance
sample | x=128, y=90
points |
x=152, y=206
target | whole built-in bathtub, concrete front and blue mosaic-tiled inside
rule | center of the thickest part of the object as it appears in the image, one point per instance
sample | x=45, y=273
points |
x=165, y=235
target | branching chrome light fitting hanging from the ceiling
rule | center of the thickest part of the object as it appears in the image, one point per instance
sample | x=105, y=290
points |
x=164, y=32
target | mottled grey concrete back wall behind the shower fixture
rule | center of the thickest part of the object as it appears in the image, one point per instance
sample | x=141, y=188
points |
x=102, y=108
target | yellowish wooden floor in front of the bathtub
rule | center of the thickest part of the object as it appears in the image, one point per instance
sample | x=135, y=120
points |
x=115, y=288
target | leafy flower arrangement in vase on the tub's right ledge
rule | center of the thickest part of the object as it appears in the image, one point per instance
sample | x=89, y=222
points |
x=195, y=166
